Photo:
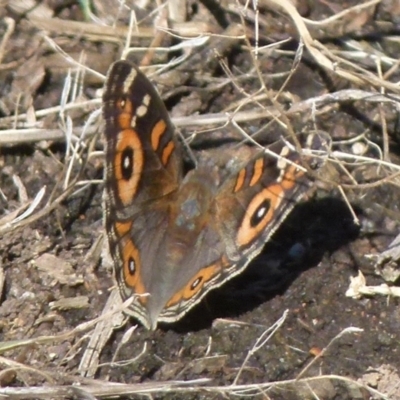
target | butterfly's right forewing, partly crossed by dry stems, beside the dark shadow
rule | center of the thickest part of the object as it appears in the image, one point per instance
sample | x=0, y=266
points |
x=266, y=189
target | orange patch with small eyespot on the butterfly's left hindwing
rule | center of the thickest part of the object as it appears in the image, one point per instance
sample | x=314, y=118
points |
x=132, y=267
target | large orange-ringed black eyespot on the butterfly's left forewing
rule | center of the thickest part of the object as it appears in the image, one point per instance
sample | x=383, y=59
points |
x=128, y=164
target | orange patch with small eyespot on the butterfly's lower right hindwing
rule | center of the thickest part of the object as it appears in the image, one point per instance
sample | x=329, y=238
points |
x=196, y=283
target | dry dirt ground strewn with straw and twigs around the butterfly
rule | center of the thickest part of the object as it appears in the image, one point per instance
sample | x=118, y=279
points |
x=327, y=65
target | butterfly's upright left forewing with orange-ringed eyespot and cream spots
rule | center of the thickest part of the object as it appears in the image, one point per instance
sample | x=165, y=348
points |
x=142, y=154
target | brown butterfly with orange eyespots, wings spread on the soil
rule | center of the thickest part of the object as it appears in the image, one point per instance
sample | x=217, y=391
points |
x=176, y=237
